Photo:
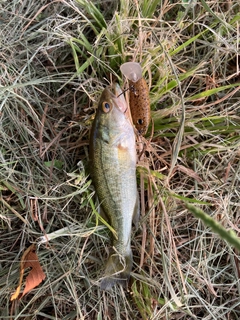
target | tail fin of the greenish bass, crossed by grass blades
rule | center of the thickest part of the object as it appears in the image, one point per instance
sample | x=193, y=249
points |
x=117, y=270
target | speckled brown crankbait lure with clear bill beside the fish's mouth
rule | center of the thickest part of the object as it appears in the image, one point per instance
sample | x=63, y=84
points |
x=139, y=96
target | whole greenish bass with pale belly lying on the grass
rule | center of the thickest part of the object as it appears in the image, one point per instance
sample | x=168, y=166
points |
x=113, y=171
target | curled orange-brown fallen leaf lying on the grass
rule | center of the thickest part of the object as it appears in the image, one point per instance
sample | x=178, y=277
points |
x=35, y=276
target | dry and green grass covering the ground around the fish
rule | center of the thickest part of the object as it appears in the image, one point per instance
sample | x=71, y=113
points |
x=54, y=58
